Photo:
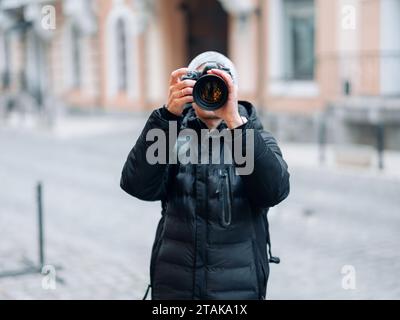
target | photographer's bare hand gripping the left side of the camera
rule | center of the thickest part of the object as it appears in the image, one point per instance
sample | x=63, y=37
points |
x=180, y=92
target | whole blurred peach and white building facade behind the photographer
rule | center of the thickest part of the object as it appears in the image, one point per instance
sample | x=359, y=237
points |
x=294, y=57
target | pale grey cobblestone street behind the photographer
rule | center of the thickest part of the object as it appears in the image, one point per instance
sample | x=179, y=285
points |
x=101, y=238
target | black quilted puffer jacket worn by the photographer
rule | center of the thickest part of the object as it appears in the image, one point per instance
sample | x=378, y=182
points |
x=211, y=240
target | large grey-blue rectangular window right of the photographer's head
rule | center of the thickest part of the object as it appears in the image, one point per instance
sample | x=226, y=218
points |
x=299, y=39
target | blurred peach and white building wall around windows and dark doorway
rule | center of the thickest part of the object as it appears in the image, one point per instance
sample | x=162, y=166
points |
x=356, y=55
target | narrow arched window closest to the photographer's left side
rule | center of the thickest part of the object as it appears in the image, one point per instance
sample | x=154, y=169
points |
x=121, y=46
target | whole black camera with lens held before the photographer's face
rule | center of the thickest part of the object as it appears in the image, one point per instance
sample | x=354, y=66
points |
x=210, y=91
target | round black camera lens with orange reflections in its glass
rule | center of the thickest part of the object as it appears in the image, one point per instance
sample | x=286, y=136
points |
x=210, y=92
